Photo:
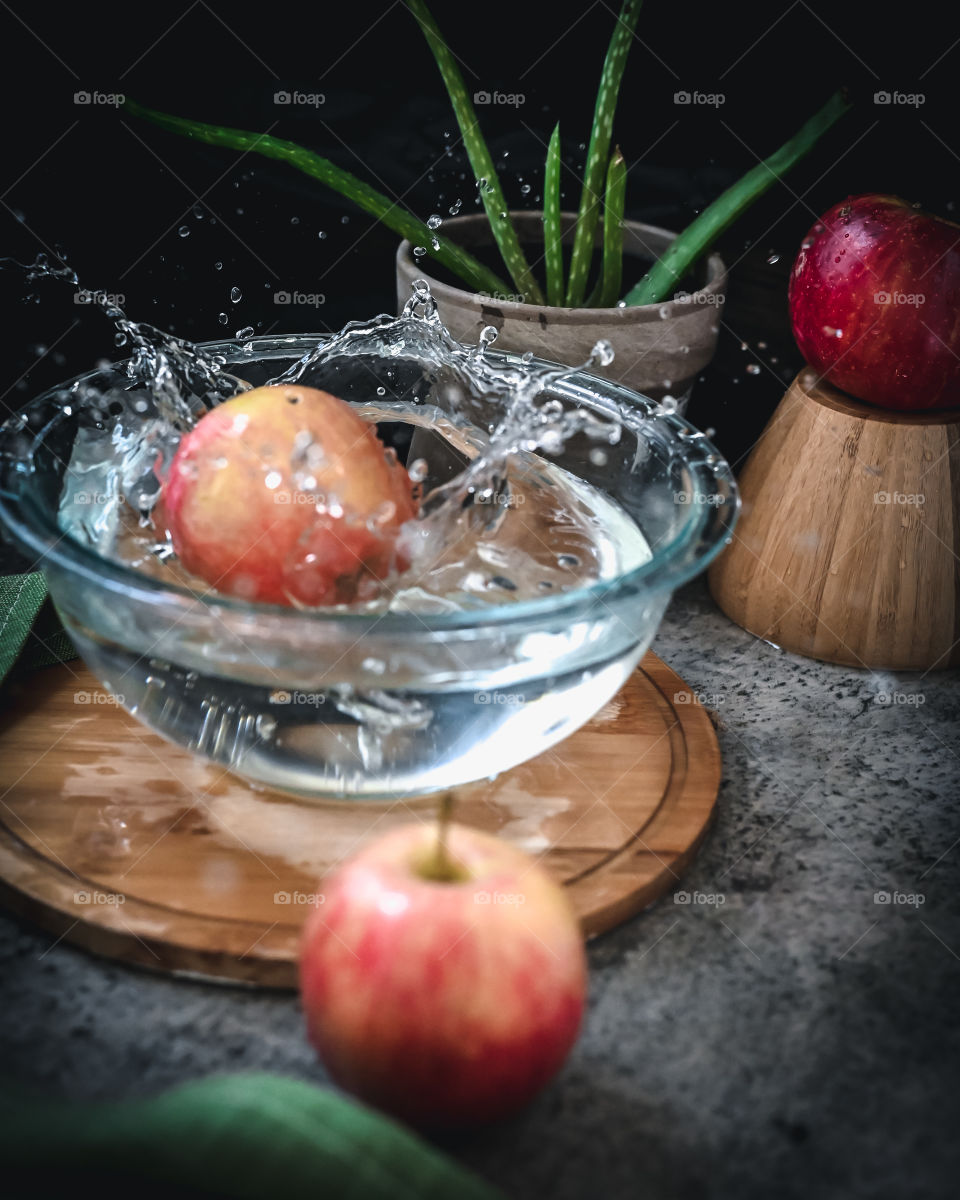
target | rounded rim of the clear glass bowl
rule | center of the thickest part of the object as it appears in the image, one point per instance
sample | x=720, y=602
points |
x=701, y=538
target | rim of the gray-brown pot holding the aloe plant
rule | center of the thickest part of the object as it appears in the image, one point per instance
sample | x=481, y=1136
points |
x=693, y=303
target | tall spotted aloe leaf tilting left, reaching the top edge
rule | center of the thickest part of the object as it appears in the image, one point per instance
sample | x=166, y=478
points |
x=491, y=193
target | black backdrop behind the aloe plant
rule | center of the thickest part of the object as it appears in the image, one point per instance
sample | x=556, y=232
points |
x=113, y=194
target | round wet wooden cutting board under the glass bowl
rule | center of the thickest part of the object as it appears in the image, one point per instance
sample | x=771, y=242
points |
x=116, y=841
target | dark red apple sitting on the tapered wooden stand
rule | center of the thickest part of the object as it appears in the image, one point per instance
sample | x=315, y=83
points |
x=875, y=303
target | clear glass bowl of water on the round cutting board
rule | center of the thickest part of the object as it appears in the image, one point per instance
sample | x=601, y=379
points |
x=334, y=705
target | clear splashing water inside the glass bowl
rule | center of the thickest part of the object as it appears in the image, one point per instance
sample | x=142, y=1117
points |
x=501, y=525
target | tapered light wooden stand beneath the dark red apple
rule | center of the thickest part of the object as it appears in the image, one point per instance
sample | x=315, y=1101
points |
x=849, y=543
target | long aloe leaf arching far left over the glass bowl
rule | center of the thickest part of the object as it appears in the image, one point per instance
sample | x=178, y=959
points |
x=401, y=221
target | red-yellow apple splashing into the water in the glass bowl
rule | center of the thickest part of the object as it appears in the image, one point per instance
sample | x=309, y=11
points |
x=286, y=495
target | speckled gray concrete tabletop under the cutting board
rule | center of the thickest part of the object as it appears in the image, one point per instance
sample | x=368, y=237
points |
x=796, y=1039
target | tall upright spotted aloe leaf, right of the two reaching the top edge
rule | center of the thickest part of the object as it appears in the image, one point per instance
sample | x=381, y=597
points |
x=598, y=153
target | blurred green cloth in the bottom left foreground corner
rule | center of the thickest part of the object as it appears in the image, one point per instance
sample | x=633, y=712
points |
x=253, y=1137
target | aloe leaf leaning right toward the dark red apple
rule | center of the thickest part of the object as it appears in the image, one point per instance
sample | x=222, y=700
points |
x=689, y=247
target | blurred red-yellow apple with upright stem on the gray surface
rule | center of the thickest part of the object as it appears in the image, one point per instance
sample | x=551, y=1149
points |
x=447, y=1003
